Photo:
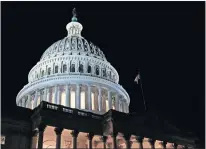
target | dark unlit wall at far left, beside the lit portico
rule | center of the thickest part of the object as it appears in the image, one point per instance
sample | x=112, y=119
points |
x=16, y=128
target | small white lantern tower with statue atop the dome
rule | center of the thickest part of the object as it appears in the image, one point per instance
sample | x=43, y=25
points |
x=74, y=28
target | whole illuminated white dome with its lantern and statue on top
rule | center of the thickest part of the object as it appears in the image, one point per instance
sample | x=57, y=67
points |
x=74, y=72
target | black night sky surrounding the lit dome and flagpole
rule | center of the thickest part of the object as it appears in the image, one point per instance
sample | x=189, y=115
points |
x=165, y=40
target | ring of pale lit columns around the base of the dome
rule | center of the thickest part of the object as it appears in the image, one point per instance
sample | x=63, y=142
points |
x=120, y=103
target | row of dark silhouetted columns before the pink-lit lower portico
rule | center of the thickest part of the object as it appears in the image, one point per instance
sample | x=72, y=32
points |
x=74, y=134
